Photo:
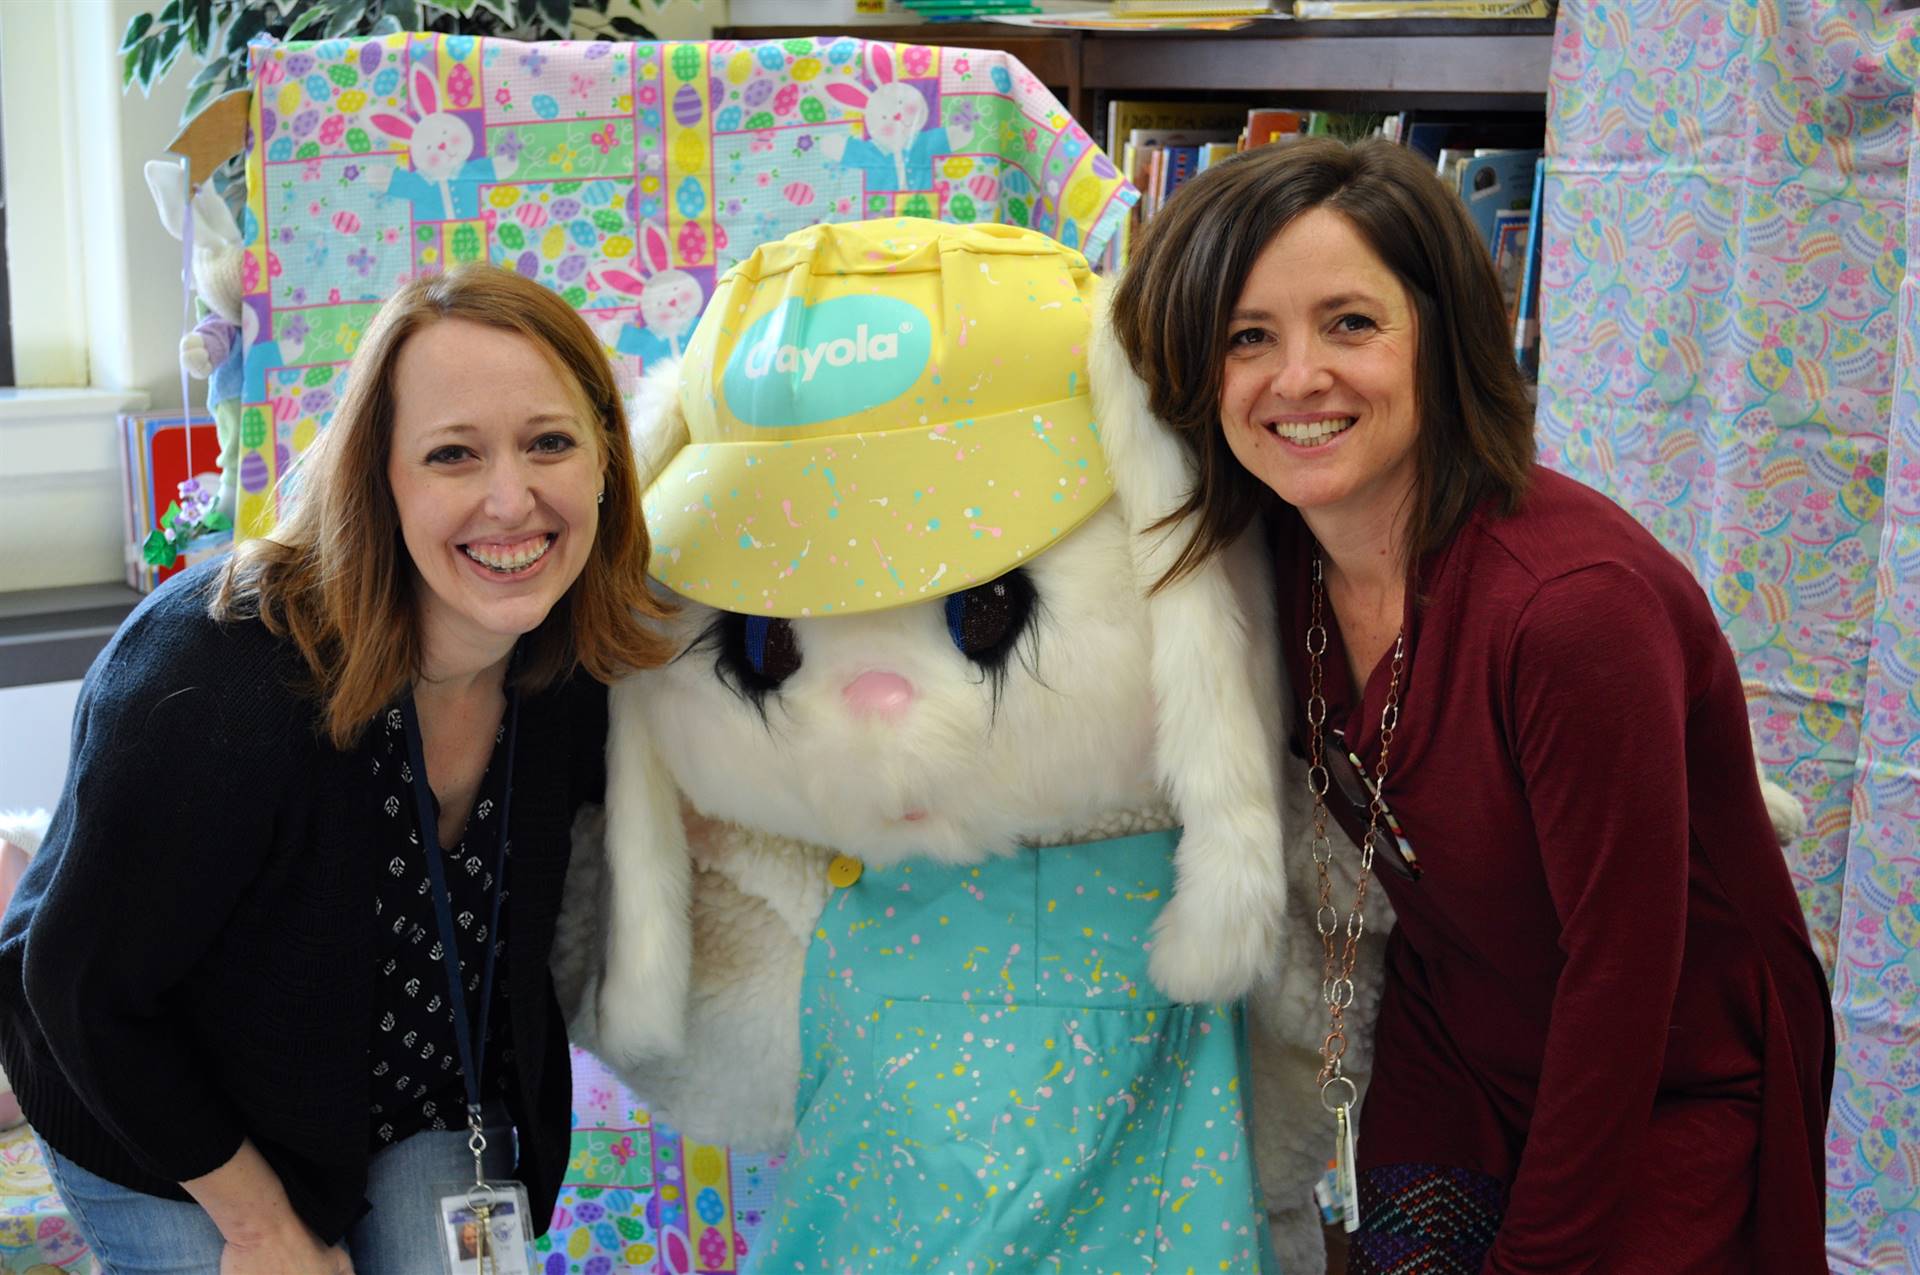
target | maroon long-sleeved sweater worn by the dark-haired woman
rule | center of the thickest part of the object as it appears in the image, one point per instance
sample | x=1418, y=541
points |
x=1600, y=990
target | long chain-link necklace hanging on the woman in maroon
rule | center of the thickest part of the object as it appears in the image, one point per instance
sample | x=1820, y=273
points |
x=1337, y=973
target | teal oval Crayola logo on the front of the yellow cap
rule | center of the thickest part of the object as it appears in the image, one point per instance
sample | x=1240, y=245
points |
x=805, y=364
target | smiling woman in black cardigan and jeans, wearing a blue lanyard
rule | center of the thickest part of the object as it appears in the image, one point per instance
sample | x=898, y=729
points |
x=249, y=1001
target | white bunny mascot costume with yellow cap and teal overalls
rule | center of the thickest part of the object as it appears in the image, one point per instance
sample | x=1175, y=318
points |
x=946, y=852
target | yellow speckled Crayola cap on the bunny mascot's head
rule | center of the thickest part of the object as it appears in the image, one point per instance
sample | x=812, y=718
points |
x=880, y=414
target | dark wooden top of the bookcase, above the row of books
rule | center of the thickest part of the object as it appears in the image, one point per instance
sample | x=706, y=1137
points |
x=1447, y=64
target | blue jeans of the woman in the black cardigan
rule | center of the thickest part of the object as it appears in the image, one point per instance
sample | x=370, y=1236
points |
x=135, y=1234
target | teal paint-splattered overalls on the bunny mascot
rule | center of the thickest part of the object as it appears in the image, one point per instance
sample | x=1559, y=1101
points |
x=990, y=1084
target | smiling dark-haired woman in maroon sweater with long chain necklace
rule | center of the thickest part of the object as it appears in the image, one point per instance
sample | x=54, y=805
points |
x=1604, y=1042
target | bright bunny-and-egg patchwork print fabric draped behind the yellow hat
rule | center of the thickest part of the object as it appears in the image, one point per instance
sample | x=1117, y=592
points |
x=627, y=178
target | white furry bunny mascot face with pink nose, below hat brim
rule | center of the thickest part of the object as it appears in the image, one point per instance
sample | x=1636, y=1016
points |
x=949, y=731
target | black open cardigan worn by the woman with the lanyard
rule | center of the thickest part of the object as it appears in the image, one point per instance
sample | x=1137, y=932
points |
x=187, y=961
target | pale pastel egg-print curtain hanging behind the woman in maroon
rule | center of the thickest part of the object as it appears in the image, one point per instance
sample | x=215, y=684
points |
x=1729, y=350
